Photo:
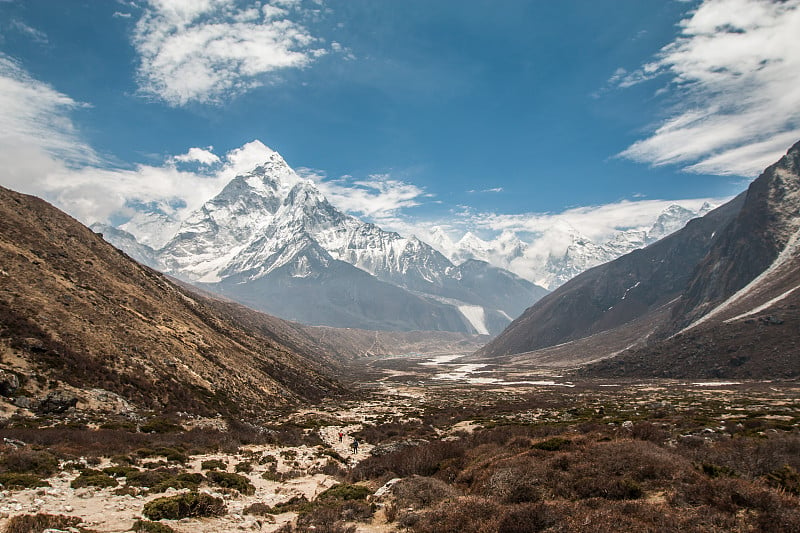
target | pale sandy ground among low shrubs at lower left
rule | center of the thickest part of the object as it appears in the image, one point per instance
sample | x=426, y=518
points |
x=102, y=510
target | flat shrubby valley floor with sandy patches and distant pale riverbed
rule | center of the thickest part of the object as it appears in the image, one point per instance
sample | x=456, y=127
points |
x=444, y=446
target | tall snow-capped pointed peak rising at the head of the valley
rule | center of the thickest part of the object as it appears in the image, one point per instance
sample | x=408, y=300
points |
x=271, y=240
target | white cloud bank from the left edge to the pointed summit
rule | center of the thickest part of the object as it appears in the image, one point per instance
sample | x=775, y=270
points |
x=42, y=153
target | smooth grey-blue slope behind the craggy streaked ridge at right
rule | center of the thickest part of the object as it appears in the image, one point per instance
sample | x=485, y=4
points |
x=613, y=294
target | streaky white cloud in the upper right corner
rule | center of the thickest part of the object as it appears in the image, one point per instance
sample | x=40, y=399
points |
x=735, y=71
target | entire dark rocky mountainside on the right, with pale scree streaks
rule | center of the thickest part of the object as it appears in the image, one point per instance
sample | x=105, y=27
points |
x=717, y=298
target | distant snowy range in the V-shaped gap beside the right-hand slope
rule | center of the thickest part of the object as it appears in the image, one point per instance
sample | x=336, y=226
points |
x=536, y=261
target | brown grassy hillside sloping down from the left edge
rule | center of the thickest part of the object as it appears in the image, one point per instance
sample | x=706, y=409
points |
x=75, y=310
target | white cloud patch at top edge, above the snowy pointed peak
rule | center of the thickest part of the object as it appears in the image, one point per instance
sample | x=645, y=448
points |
x=209, y=50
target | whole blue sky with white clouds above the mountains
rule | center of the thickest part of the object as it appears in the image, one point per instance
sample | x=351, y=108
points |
x=467, y=114
